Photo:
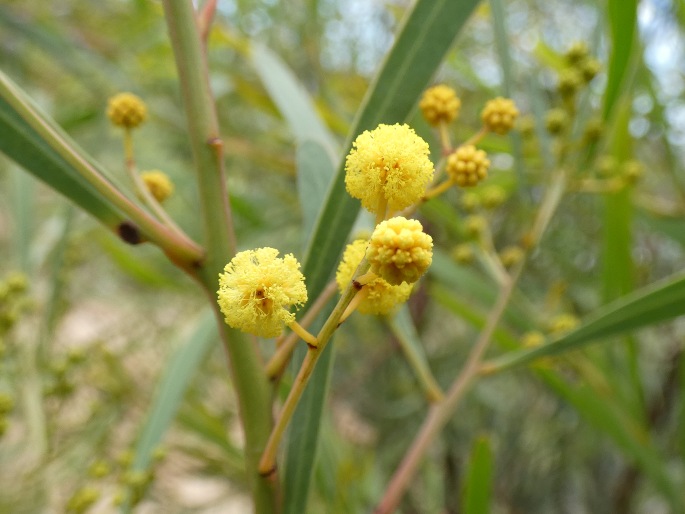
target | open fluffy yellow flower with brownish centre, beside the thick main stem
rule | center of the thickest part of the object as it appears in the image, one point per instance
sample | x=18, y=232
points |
x=256, y=289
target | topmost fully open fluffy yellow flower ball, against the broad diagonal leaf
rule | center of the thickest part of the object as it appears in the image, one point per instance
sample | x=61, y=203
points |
x=392, y=161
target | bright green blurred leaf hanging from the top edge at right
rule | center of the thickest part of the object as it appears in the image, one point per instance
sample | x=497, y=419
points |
x=623, y=20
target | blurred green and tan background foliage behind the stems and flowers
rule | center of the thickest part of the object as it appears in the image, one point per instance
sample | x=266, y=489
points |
x=89, y=325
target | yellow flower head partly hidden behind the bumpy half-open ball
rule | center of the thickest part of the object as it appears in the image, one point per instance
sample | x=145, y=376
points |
x=379, y=296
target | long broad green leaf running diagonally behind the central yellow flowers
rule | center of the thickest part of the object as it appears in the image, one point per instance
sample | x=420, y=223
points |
x=424, y=39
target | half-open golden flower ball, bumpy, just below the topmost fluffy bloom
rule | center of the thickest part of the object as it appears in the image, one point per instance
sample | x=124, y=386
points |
x=400, y=251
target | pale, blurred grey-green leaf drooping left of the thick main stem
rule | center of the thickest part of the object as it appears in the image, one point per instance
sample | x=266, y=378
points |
x=171, y=389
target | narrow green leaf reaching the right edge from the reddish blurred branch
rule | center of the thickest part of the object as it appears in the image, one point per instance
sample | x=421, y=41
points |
x=653, y=304
